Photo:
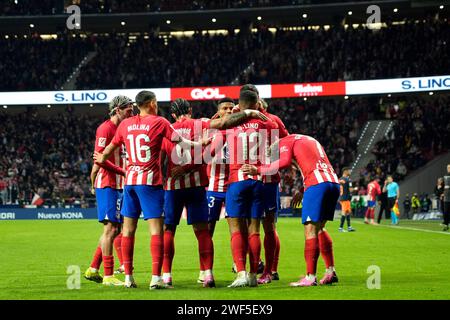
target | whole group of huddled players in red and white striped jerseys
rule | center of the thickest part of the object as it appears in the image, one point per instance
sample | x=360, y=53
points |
x=228, y=163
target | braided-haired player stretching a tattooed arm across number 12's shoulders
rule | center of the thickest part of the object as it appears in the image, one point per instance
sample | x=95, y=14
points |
x=188, y=189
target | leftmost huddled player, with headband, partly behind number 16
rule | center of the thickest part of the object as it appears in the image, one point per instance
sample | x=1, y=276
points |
x=107, y=183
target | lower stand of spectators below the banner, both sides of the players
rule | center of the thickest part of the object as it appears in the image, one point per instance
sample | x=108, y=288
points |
x=57, y=167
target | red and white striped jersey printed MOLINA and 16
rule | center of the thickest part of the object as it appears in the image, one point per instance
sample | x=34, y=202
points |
x=143, y=138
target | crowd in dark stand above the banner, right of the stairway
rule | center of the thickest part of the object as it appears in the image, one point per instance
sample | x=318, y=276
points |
x=285, y=56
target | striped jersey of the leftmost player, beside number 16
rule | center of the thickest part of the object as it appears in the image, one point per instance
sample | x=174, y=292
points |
x=106, y=178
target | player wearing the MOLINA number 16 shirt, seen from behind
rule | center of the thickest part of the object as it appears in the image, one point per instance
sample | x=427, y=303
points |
x=143, y=136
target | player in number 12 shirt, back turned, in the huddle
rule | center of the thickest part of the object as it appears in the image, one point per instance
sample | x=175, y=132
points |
x=247, y=143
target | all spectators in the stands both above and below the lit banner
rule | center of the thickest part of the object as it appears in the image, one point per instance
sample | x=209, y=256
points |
x=50, y=156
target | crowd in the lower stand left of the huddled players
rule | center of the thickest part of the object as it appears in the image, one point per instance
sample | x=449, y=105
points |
x=47, y=156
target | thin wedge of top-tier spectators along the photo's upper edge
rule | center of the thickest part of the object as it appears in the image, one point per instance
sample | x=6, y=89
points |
x=50, y=7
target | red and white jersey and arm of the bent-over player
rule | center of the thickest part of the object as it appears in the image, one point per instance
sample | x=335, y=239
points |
x=310, y=157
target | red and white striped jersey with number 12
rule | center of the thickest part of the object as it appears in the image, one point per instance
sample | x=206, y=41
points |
x=248, y=143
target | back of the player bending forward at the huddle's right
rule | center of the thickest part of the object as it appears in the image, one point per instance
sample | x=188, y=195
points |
x=312, y=160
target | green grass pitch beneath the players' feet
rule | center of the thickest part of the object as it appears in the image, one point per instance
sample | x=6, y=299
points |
x=413, y=262
